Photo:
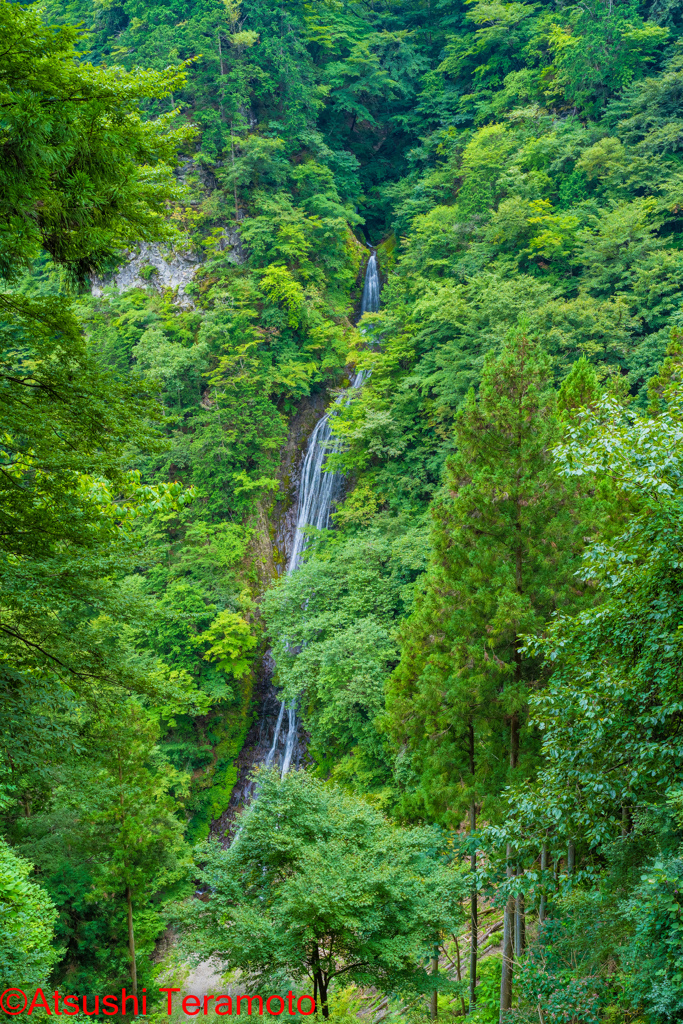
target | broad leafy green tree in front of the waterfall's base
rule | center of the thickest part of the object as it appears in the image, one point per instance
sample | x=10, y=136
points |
x=319, y=886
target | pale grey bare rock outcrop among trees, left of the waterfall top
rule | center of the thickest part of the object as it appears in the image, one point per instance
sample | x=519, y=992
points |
x=153, y=268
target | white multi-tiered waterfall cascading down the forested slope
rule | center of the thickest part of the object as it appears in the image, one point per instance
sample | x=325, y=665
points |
x=318, y=493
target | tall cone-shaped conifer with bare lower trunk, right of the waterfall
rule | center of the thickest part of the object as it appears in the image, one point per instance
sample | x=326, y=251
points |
x=506, y=534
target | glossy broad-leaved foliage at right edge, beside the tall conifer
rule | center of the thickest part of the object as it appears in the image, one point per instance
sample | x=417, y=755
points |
x=610, y=716
